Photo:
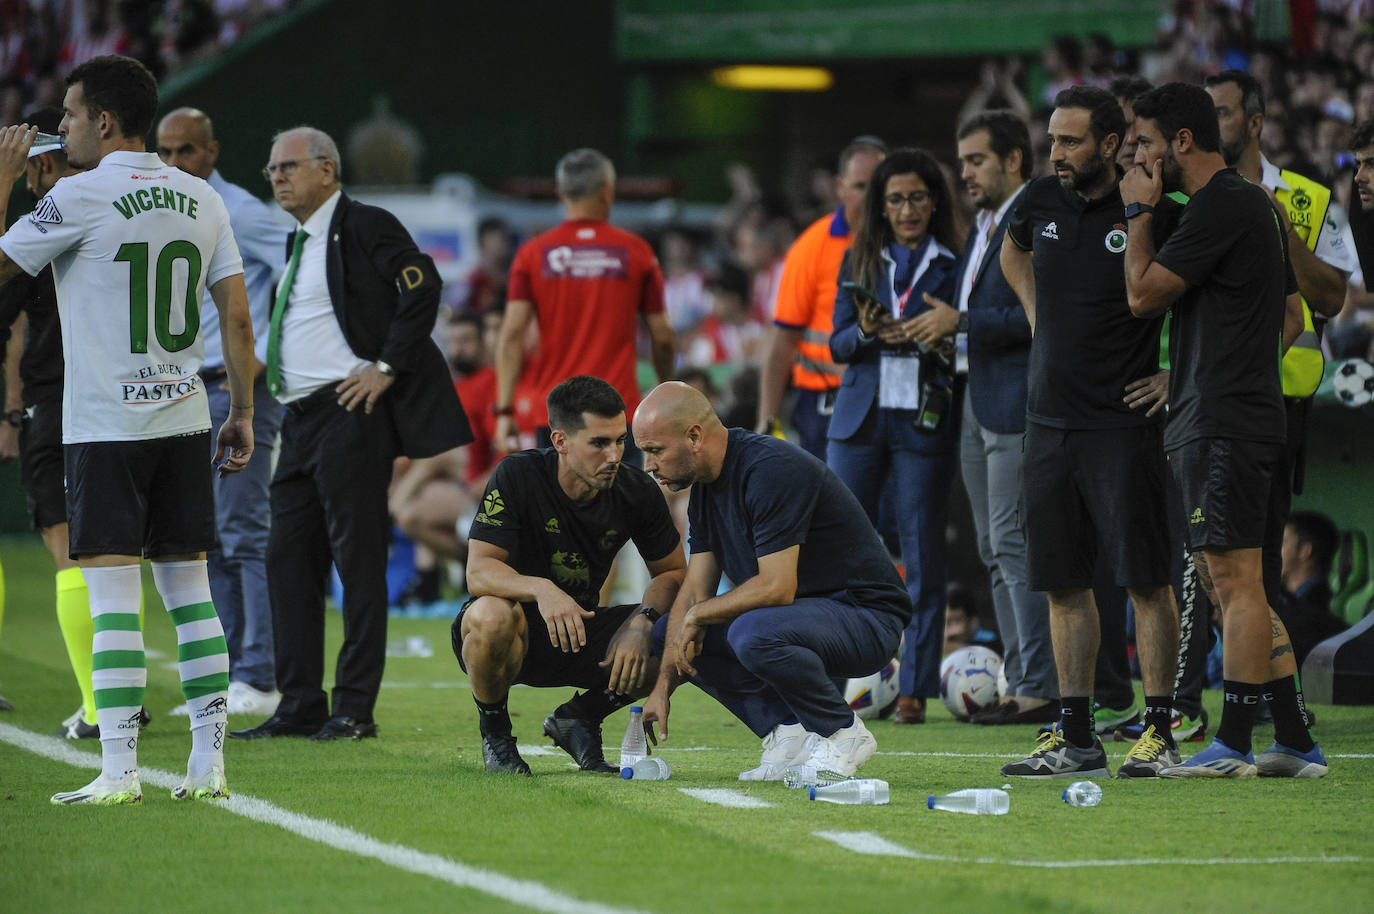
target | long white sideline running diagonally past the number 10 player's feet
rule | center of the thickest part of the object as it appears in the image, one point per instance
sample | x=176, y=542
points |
x=508, y=889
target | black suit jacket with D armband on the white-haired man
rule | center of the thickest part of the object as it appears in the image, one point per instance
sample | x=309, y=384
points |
x=385, y=296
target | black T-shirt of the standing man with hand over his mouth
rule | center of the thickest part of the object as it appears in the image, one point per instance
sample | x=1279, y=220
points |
x=1230, y=249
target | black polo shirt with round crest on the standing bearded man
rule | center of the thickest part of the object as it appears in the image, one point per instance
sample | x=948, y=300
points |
x=1088, y=346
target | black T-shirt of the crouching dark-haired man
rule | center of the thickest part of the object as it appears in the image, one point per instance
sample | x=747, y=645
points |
x=549, y=535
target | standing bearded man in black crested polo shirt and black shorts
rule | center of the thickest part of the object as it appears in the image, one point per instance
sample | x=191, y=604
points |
x=1094, y=467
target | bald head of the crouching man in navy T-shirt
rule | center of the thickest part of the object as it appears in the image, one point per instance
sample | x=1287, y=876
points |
x=682, y=438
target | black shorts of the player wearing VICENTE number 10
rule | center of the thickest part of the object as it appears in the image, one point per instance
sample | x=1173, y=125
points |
x=141, y=498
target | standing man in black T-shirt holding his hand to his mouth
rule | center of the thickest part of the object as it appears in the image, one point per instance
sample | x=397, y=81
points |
x=1225, y=273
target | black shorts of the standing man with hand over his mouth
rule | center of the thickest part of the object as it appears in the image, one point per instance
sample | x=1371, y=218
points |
x=1233, y=493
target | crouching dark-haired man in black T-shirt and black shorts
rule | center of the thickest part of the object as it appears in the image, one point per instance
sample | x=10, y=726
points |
x=541, y=549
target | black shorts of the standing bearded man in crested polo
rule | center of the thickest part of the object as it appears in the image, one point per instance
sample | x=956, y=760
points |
x=1096, y=490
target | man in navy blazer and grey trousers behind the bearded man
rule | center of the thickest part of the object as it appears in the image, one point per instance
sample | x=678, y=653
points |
x=994, y=347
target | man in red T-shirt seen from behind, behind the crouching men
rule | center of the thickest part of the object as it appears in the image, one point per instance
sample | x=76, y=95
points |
x=583, y=284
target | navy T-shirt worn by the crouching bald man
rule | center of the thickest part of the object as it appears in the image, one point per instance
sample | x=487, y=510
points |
x=770, y=497
